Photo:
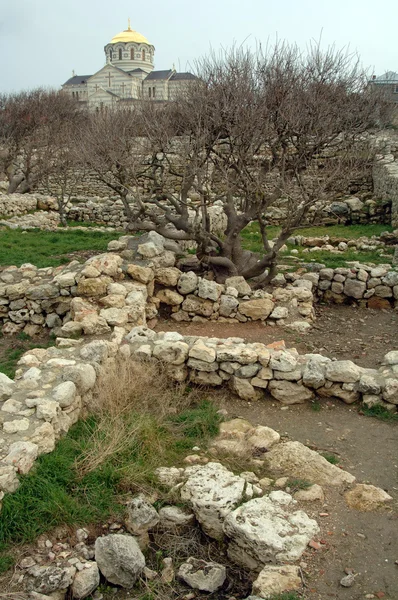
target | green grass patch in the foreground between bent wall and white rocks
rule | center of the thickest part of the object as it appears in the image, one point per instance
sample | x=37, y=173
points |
x=57, y=492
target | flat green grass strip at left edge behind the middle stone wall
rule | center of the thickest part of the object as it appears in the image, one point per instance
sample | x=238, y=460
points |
x=47, y=248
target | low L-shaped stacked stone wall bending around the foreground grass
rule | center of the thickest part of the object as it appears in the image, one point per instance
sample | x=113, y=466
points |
x=54, y=386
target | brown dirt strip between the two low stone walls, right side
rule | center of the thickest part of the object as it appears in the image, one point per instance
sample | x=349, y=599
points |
x=360, y=334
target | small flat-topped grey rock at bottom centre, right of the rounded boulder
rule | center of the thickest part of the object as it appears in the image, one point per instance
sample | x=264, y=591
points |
x=202, y=575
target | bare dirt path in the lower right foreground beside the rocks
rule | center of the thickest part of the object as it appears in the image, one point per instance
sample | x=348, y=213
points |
x=364, y=542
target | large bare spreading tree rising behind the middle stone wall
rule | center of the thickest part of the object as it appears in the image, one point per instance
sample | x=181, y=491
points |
x=254, y=129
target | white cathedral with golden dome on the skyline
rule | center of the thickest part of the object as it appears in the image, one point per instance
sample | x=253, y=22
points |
x=127, y=76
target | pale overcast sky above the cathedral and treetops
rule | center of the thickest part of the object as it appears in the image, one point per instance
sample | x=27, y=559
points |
x=42, y=41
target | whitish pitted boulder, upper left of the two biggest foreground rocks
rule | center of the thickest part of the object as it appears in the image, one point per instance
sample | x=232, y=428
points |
x=213, y=491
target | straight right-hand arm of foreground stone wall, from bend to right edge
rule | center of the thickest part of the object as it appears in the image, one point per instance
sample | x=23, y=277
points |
x=253, y=369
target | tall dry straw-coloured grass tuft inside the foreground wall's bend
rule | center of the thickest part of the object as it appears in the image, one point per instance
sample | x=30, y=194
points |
x=131, y=406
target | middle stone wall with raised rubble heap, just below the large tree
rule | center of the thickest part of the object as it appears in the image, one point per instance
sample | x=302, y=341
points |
x=134, y=282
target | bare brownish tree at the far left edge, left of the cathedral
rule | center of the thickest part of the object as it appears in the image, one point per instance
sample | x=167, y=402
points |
x=25, y=119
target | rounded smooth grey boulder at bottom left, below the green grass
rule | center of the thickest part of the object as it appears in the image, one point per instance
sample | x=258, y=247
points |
x=119, y=559
